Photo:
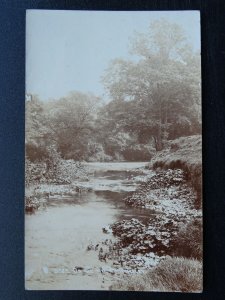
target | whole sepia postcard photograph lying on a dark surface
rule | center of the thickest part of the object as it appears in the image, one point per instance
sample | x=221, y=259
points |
x=113, y=151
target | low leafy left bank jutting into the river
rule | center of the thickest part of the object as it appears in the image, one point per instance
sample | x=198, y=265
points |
x=42, y=185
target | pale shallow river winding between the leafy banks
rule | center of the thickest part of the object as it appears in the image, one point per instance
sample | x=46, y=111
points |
x=56, y=238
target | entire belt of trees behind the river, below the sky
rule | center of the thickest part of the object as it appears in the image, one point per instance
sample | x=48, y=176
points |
x=154, y=98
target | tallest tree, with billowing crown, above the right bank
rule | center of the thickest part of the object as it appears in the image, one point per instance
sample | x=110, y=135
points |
x=162, y=87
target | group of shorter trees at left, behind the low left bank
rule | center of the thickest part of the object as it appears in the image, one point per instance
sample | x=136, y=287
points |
x=66, y=123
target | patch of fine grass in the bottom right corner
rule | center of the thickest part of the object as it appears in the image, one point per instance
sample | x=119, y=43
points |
x=174, y=274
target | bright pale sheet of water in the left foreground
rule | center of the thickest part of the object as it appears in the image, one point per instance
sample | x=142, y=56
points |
x=57, y=239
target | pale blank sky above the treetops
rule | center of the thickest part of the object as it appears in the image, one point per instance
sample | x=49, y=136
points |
x=69, y=50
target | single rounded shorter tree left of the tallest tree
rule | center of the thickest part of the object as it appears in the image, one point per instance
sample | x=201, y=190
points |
x=72, y=120
